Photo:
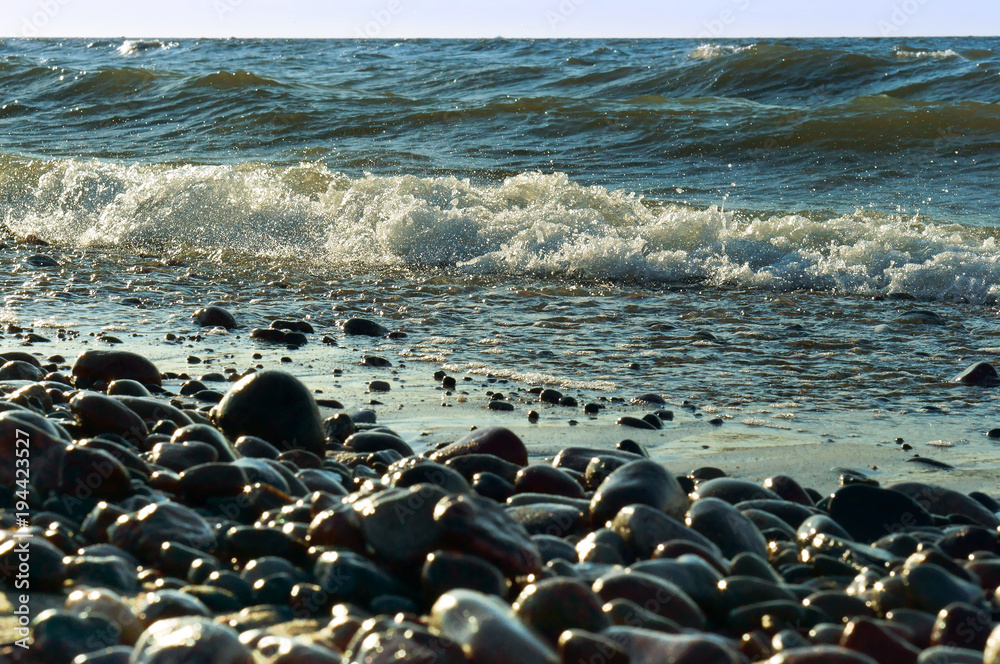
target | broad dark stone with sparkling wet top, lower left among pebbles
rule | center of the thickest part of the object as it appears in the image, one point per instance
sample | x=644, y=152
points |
x=143, y=533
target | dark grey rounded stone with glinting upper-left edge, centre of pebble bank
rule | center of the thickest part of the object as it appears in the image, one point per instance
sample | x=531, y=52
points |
x=399, y=525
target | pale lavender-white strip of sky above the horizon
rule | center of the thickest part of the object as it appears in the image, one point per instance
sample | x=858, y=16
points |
x=396, y=19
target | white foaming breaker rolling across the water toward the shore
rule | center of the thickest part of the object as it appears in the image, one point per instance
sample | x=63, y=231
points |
x=533, y=224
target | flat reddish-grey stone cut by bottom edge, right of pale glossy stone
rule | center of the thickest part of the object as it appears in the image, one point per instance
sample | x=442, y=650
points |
x=648, y=647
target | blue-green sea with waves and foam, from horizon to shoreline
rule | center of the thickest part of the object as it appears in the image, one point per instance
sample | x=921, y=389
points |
x=789, y=236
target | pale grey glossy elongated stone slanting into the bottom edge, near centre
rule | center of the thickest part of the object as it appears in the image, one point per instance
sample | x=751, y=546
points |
x=487, y=630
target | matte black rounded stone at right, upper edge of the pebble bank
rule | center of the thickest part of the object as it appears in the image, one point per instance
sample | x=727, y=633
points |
x=869, y=512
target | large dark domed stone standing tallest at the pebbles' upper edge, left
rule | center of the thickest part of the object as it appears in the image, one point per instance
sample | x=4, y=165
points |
x=275, y=406
